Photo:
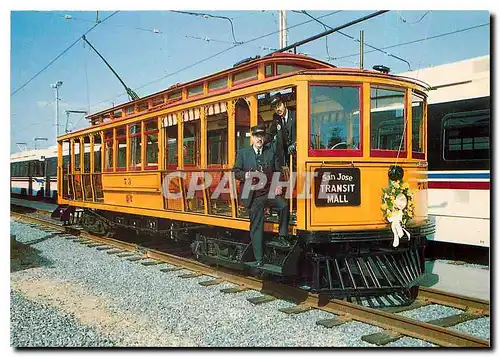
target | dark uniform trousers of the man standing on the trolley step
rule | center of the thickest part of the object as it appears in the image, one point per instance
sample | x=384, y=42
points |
x=257, y=220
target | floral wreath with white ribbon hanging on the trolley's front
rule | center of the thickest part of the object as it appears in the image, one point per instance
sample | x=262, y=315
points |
x=397, y=206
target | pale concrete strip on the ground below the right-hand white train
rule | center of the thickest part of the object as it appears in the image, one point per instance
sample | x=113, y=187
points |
x=464, y=279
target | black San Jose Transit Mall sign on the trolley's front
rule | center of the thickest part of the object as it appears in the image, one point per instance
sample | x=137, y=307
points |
x=337, y=187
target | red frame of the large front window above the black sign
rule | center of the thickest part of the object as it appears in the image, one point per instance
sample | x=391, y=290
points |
x=336, y=152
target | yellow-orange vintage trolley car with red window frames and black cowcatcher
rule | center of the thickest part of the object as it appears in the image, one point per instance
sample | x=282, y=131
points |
x=360, y=184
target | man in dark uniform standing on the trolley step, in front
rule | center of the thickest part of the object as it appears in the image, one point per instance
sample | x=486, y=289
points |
x=262, y=158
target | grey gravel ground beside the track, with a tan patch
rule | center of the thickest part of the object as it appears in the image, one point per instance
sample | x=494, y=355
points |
x=124, y=303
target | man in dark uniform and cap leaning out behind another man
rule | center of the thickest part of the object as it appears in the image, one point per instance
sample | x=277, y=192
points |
x=284, y=128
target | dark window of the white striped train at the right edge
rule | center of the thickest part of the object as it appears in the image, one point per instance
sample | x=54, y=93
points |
x=466, y=136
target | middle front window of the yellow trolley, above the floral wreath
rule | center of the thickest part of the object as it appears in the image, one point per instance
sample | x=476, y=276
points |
x=387, y=120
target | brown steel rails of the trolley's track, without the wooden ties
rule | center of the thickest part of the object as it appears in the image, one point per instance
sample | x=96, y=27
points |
x=388, y=321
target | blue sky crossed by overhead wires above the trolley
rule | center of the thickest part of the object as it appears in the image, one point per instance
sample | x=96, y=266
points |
x=129, y=43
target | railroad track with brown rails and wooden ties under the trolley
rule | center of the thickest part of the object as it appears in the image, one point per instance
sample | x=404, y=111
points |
x=395, y=326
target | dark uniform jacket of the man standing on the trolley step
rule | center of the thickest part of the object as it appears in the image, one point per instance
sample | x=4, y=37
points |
x=246, y=161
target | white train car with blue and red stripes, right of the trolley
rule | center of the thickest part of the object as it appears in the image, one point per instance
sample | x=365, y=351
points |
x=459, y=144
